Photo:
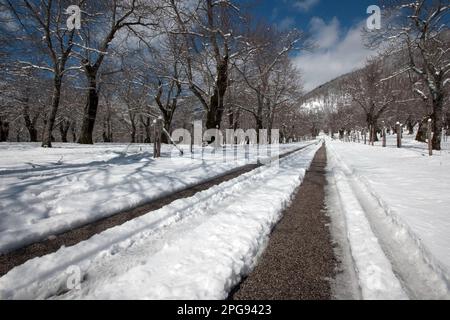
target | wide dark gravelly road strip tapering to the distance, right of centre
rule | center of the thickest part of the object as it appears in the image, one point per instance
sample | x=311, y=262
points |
x=299, y=260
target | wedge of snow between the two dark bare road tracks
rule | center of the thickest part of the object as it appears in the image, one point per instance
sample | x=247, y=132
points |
x=194, y=248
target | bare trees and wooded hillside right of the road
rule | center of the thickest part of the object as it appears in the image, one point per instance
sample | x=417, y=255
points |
x=407, y=82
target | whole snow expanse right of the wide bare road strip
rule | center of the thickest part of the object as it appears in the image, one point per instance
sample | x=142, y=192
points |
x=396, y=207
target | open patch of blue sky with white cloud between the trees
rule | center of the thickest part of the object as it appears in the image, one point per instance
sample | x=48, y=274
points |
x=335, y=25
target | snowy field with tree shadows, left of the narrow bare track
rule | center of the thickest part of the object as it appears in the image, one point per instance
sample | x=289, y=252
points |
x=47, y=191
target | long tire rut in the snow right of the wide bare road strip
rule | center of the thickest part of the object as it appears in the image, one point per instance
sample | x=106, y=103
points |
x=409, y=261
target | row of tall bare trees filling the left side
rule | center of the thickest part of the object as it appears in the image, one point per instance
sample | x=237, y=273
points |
x=136, y=60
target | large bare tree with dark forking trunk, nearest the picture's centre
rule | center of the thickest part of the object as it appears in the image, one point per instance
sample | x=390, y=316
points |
x=206, y=27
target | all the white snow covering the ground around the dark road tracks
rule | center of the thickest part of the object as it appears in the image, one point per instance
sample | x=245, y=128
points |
x=389, y=209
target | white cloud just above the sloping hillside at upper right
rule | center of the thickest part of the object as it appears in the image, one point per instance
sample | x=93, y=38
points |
x=338, y=52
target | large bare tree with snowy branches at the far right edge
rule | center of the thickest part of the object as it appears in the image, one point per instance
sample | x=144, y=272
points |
x=420, y=29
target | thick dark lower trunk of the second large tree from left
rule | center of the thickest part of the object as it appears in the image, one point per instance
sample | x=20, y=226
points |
x=90, y=110
